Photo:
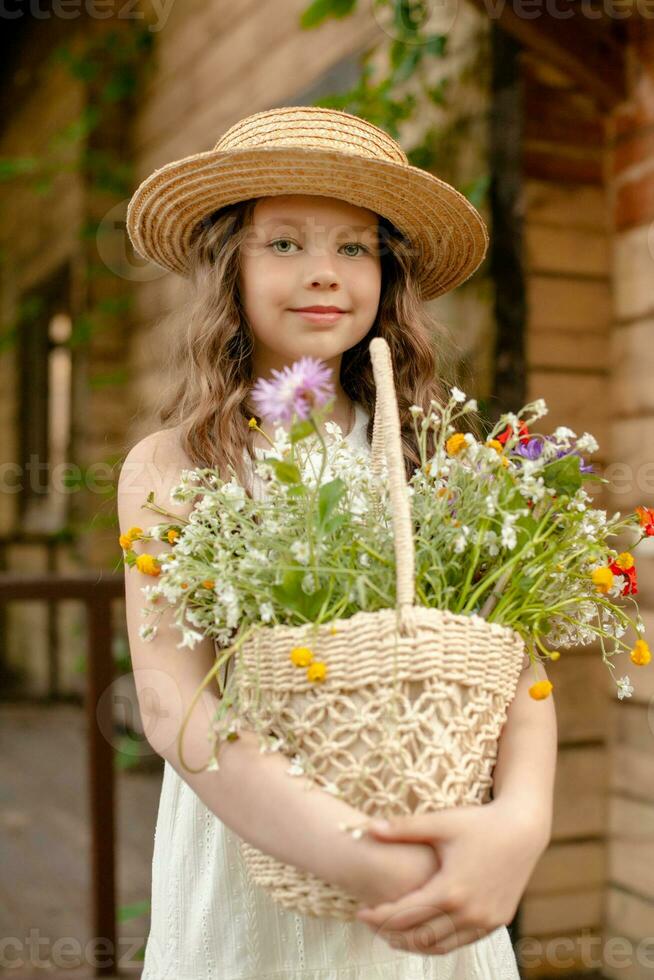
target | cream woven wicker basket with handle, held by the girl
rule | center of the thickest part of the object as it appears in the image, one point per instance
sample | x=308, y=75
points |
x=409, y=715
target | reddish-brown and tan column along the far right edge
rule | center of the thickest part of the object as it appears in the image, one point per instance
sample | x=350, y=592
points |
x=629, y=912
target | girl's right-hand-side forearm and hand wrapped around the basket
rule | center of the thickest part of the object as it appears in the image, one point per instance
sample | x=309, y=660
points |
x=488, y=852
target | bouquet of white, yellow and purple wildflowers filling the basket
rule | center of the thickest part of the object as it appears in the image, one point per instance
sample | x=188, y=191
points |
x=503, y=530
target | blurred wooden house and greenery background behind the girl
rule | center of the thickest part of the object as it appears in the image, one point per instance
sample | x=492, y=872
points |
x=542, y=114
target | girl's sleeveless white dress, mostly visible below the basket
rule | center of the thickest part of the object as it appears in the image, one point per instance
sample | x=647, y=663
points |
x=209, y=922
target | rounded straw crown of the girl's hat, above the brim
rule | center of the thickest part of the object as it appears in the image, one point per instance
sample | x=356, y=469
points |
x=312, y=127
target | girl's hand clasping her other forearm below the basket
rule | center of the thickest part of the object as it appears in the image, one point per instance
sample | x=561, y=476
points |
x=487, y=856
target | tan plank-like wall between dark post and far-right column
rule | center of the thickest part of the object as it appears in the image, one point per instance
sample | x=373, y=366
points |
x=568, y=280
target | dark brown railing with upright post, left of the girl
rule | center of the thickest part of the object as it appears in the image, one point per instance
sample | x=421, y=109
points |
x=97, y=590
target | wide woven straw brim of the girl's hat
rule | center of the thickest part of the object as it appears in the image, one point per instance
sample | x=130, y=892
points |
x=440, y=222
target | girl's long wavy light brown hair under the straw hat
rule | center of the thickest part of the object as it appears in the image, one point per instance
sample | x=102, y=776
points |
x=208, y=396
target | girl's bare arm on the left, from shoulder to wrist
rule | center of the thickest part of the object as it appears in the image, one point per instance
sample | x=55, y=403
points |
x=251, y=792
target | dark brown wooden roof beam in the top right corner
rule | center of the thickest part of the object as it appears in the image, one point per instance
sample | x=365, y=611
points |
x=580, y=40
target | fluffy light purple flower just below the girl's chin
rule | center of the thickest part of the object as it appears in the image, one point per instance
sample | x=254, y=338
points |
x=306, y=384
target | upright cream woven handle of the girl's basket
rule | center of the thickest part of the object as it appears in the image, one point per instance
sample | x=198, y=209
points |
x=386, y=441
